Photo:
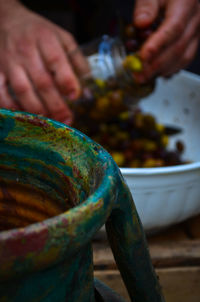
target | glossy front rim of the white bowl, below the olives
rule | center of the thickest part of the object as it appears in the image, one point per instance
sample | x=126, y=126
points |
x=161, y=170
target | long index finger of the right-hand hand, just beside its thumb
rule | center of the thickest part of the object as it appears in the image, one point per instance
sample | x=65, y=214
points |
x=177, y=14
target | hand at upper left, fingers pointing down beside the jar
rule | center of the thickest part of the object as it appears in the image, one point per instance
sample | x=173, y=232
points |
x=35, y=65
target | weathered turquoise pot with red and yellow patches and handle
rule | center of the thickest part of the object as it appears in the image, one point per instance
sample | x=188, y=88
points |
x=57, y=188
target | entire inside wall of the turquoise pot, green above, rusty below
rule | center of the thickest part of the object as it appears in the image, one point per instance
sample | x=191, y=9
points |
x=45, y=170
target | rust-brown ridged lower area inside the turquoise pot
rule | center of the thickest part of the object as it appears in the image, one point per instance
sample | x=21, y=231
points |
x=21, y=205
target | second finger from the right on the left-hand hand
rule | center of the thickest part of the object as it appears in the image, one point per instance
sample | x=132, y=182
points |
x=59, y=66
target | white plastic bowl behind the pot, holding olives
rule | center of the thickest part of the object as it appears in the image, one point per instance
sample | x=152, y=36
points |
x=168, y=195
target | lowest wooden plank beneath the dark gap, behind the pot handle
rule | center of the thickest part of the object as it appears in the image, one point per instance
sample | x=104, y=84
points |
x=178, y=284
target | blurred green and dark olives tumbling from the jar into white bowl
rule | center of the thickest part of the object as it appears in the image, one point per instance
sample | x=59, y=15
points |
x=133, y=138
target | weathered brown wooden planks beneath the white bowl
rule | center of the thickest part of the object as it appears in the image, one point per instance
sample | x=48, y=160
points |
x=175, y=254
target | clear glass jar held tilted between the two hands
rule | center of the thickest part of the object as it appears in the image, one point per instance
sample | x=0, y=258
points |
x=106, y=57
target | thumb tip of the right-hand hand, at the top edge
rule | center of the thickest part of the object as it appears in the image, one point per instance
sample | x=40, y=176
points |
x=145, y=12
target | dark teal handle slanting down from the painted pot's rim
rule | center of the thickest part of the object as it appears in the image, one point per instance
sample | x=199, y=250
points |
x=129, y=247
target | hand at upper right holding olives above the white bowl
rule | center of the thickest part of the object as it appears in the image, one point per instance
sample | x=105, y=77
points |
x=173, y=45
